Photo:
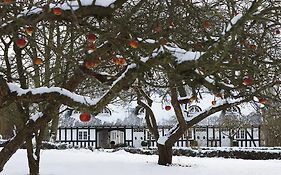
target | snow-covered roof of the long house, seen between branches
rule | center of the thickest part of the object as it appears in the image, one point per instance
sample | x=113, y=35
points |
x=124, y=114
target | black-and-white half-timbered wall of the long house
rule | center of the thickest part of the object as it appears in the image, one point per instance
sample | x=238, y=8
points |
x=212, y=138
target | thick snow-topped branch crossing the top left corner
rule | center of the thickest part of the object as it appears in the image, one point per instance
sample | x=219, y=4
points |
x=41, y=10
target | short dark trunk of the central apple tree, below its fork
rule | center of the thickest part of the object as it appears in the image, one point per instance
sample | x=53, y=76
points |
x=165, y=154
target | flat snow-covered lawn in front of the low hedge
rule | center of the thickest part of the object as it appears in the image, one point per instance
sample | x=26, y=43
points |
x=86, y=162
